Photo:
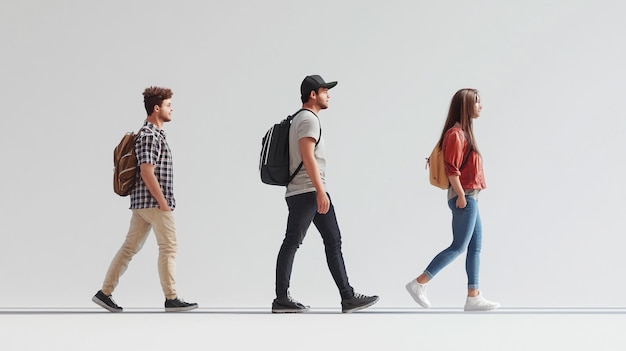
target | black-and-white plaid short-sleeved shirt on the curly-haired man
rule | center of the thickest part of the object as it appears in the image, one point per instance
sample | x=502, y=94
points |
x=152, y=148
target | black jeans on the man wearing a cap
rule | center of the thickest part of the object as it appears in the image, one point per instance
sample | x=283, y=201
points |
x=303, y=211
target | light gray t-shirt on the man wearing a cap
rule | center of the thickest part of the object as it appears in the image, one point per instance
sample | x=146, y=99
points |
x=304, y=124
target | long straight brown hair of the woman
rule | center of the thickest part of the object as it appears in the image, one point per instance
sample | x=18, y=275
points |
x=462, y=107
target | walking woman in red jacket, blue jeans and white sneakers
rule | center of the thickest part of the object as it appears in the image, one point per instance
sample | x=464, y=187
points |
x=465, y=171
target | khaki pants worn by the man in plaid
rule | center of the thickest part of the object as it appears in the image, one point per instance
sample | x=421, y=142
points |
x=162, y=223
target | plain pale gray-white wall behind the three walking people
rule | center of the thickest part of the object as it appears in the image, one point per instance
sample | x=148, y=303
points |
x=551, y=76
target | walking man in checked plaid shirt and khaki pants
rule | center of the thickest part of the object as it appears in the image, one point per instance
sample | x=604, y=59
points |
x=152, y=202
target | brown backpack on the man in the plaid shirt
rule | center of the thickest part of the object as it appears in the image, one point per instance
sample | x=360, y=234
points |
x=125, y=170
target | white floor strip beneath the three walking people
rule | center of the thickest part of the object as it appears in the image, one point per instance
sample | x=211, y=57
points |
x=320, y=329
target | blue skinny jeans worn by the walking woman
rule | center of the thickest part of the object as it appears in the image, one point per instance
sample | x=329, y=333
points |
x=466, y=234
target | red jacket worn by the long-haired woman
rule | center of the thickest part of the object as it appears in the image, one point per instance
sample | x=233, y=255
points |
x=455, y=147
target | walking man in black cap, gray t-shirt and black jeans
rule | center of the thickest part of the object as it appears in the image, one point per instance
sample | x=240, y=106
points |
x=308, y=202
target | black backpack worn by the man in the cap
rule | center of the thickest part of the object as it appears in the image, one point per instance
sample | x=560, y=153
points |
x=274, y=159
